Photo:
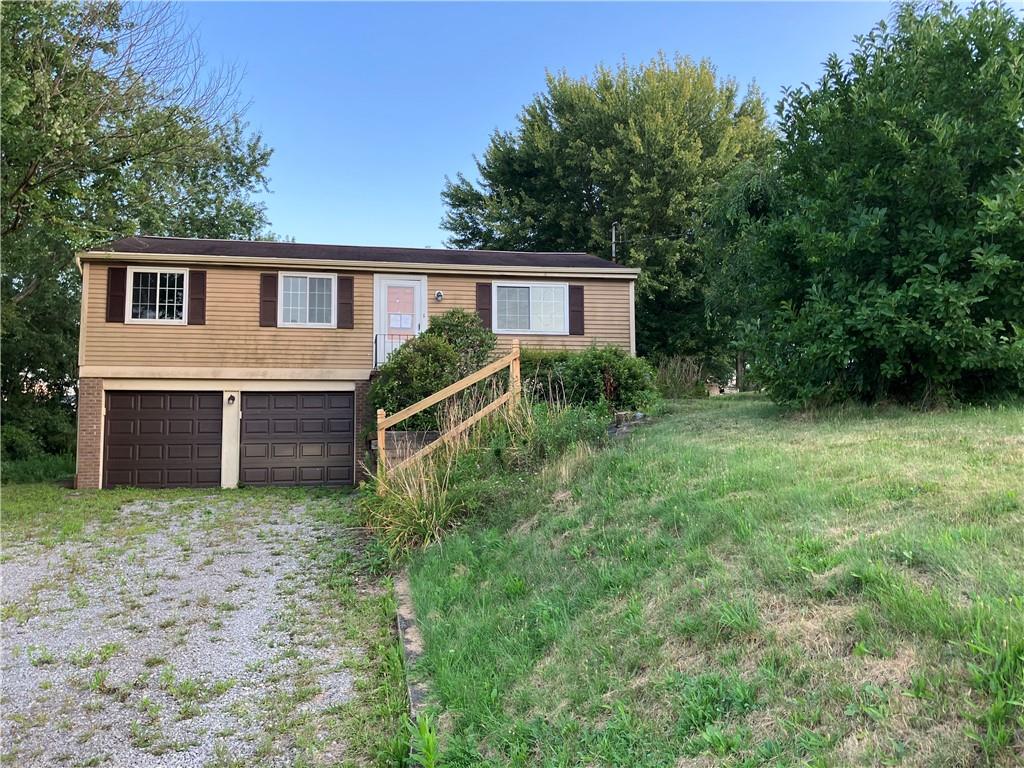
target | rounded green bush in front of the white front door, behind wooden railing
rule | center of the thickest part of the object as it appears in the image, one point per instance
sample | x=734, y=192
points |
x=455, y=346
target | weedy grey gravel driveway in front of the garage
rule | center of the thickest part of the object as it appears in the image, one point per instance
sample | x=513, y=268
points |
x=203, y=631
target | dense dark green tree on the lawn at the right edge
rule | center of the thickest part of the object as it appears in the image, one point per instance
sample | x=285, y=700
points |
x=893, y=268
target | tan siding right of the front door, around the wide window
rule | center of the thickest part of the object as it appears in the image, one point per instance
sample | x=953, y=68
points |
x=607, y=310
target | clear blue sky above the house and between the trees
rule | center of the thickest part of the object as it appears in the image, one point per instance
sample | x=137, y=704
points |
x=368, y=107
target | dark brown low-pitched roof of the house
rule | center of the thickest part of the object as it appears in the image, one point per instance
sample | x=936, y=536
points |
x=271, y=250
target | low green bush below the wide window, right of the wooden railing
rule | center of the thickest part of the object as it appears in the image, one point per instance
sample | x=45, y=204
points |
x=593, y=376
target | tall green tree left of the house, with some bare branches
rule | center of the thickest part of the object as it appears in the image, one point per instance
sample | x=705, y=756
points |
x=110, y=129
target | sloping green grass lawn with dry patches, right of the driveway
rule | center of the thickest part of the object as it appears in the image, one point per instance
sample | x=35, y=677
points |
x=738, y=586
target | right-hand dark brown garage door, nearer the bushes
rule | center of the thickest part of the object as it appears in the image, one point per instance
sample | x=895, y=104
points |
x=297, y=439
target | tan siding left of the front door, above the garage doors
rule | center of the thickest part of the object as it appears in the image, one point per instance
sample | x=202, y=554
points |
x=232, y=336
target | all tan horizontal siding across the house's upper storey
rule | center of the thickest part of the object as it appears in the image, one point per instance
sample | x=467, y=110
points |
x=233, y=337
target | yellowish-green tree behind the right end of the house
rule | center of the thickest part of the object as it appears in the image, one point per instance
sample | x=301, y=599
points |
x=643, y=147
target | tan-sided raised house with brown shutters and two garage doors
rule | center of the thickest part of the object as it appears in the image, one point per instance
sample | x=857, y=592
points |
x=218, y=363
